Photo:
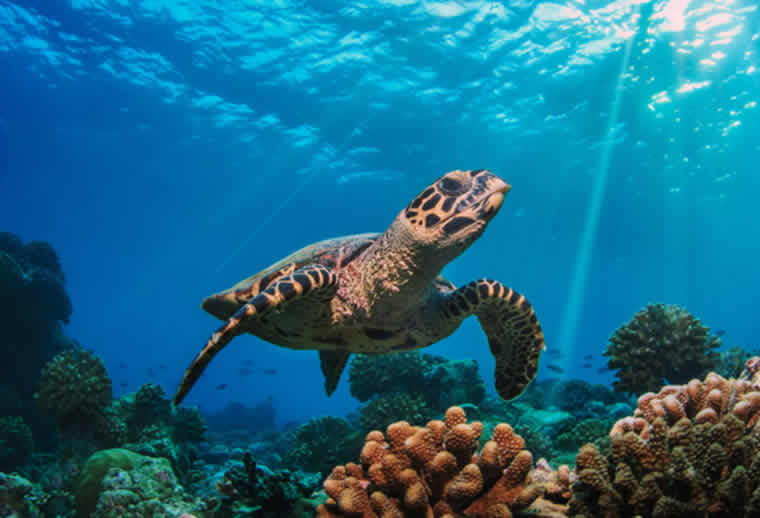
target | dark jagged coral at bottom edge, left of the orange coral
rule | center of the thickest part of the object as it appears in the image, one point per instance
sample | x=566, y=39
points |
x=252, y=489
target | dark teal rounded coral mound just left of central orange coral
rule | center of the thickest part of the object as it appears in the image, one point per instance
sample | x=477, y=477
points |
x=321, y=443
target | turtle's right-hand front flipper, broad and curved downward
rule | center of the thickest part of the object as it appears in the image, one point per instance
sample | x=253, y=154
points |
x=513, y=331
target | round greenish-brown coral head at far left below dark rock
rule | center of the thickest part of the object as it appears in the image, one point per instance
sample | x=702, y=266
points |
x=75, y=386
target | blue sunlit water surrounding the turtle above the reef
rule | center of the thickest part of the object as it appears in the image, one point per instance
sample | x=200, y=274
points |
x=169, y=149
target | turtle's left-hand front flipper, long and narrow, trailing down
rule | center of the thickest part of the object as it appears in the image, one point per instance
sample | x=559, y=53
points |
x=313, y=281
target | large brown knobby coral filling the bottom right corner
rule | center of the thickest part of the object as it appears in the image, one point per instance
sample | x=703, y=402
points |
x=689, y=450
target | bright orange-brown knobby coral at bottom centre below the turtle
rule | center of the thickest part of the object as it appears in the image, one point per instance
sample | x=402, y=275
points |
x=435, y=470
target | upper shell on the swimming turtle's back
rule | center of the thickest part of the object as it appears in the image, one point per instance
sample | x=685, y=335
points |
x=333, y=253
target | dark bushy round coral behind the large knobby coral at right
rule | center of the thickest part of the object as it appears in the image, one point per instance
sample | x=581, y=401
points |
x=660, y=344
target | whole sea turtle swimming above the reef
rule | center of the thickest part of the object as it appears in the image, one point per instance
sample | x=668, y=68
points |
x=380, y=293
